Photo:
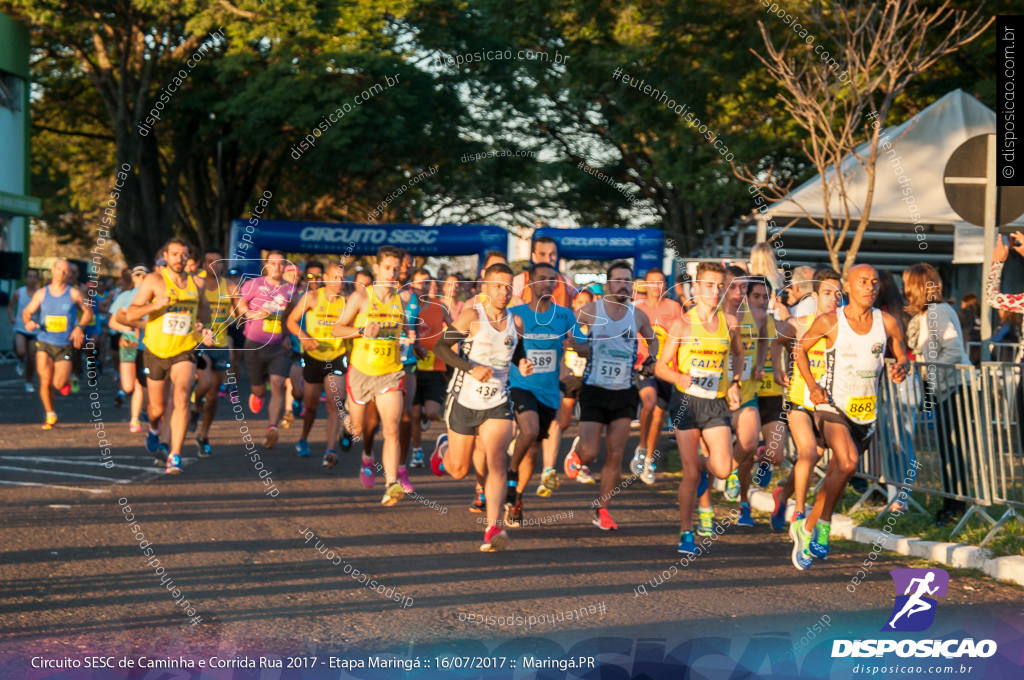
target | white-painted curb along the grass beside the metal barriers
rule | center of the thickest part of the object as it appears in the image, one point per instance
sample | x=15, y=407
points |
x=959, y=556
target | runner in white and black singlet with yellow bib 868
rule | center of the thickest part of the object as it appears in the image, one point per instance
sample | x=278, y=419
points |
x=845, y=398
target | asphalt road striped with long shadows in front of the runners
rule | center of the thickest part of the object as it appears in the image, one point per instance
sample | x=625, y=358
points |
x=73, y=578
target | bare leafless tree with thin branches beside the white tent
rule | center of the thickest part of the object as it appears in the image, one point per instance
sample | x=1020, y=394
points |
x=880, y=48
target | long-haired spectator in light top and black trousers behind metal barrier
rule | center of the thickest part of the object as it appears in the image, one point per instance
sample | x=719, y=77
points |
x=938, y=338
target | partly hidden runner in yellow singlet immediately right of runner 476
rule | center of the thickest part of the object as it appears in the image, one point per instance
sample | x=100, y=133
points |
x=746, y=420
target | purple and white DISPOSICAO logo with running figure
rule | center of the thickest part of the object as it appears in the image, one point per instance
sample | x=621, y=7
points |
x=915, y=612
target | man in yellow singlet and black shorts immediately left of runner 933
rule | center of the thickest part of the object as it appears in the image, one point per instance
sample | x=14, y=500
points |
x=323, y=358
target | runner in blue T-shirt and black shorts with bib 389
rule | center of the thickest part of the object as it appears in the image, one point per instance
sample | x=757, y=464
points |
x=536, y=398
